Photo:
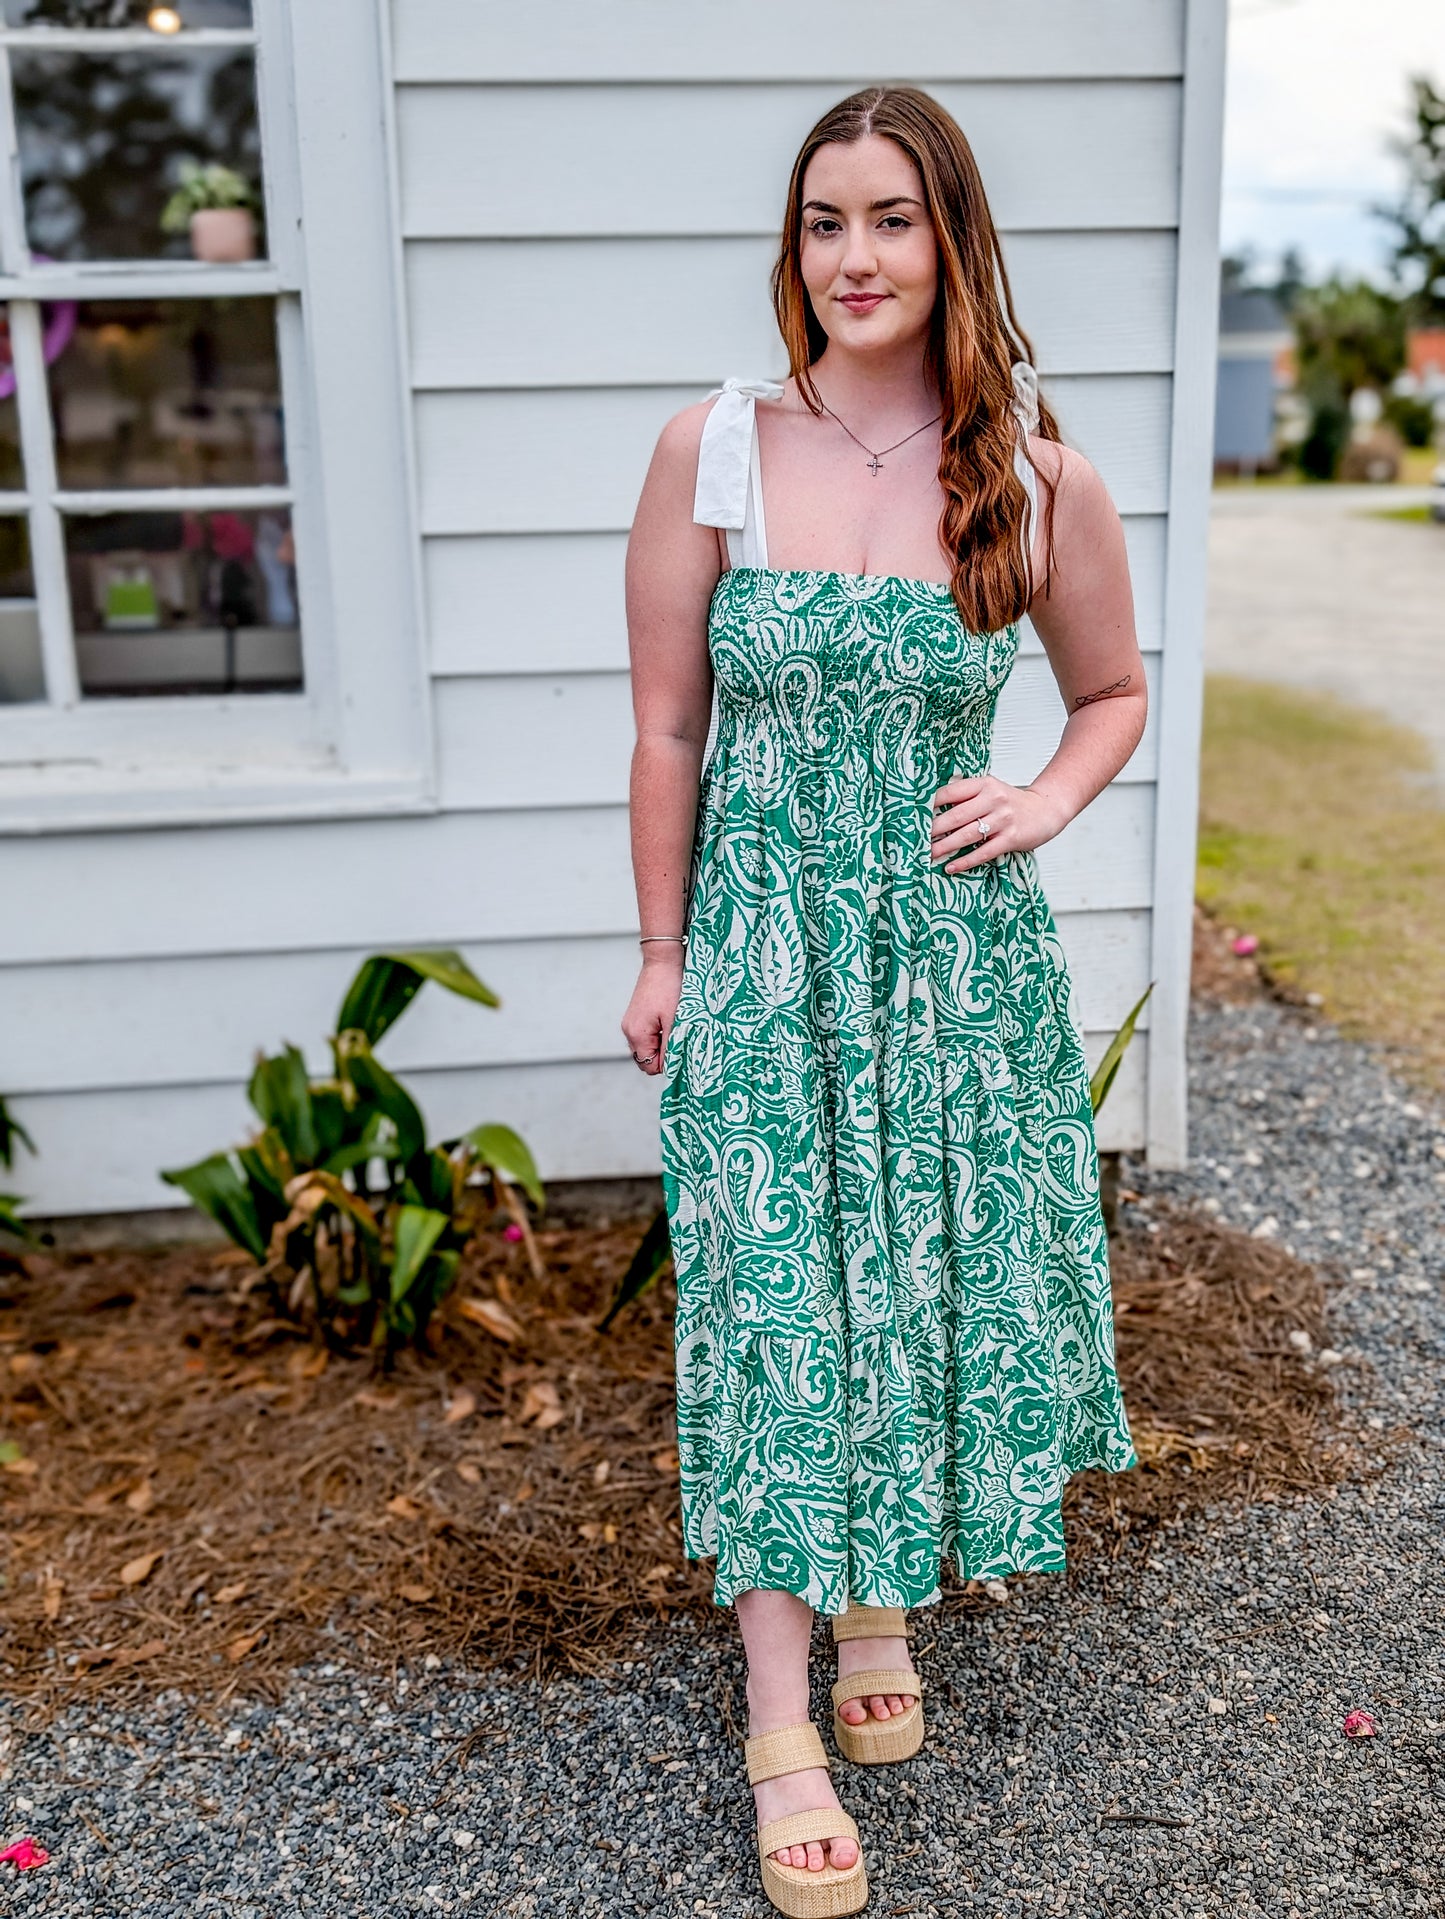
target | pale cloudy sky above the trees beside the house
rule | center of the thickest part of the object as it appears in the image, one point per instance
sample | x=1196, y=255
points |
x=1315, y=91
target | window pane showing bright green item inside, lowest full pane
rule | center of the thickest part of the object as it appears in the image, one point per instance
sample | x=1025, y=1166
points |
x=185, y=602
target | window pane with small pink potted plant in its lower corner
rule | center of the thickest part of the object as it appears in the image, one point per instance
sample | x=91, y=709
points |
x=105, y=141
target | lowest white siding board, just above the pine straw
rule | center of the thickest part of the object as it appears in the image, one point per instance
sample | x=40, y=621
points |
x=584, y=1120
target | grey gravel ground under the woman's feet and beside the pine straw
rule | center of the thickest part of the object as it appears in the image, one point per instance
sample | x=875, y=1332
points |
x=1198, y=1686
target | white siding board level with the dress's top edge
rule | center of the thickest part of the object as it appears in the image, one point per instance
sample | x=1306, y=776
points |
x=486, y=613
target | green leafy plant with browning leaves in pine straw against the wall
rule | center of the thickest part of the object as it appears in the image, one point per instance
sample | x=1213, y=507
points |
x=339, y=1198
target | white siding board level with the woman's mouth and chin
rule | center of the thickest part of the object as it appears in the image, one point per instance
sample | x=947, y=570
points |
x=692, y=310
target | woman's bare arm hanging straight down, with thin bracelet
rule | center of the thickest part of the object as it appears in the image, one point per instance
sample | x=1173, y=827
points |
x=673, y=569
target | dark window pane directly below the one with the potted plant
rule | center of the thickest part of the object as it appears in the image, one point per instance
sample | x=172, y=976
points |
x=170, y=392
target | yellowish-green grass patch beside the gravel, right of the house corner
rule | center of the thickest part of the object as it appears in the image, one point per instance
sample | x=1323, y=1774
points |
x=1323, y=832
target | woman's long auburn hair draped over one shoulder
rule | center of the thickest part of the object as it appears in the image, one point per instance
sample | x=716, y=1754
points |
x=974, y=343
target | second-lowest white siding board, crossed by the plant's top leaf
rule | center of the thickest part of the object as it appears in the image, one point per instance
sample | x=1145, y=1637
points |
x=561, y=1005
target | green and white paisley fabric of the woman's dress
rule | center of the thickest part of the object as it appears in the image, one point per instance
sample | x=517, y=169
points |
x=895, y=1335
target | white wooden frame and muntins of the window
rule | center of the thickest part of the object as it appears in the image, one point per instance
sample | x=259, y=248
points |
x=360, y=734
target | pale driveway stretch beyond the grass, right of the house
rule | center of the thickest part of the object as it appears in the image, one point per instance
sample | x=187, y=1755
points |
x=1310, y=588
